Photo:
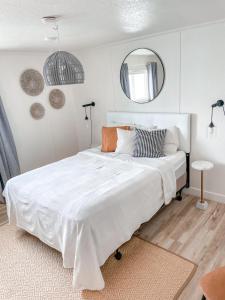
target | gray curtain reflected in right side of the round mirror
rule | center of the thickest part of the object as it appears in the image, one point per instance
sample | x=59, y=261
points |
x=152, y=80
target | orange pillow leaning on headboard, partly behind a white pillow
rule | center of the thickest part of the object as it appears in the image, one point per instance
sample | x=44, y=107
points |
x=109, y=138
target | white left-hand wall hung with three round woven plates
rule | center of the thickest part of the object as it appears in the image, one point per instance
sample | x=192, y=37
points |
x=42, y=141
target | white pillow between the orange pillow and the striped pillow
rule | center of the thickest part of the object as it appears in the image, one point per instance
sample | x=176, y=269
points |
x=125, y=141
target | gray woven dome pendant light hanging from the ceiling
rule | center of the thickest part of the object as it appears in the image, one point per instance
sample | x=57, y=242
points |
x=61, y=67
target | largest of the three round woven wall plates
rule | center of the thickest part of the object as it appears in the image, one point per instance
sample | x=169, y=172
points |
x=32, y=82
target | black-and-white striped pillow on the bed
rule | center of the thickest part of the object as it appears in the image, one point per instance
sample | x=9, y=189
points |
x=149, y=143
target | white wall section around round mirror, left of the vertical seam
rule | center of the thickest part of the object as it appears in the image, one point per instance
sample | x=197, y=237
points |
x=102, y=83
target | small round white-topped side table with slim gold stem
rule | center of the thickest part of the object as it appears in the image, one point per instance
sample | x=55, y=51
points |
x=202, y=165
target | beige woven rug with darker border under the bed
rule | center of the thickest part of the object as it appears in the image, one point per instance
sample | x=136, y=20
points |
x=31, y=270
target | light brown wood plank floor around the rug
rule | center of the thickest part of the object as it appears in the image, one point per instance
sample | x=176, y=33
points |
x=187, y=231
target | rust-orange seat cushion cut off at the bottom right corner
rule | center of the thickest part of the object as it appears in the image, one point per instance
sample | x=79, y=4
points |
x=213, y=284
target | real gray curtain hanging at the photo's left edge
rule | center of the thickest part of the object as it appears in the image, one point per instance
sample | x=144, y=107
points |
x=9, y=164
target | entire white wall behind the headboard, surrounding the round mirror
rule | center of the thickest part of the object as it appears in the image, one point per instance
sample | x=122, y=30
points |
x=194, y=61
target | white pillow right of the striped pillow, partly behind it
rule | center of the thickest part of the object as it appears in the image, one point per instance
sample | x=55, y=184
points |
x=171, y=143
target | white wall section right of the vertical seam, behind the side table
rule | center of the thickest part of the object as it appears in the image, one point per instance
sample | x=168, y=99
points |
x=203, y=82
